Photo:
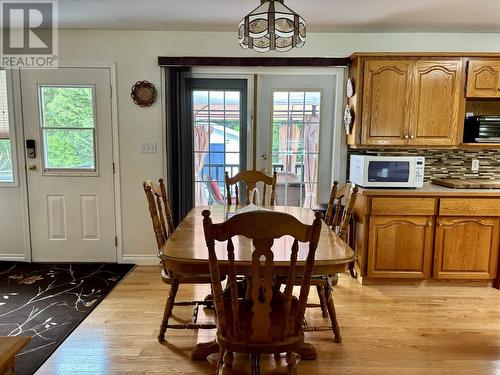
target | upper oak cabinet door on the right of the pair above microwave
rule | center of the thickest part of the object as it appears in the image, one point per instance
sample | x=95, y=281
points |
x=436, y=103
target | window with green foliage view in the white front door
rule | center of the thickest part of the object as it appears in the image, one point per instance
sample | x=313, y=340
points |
x=68, y=128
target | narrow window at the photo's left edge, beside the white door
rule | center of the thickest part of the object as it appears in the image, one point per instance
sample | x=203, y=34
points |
x=6, y=169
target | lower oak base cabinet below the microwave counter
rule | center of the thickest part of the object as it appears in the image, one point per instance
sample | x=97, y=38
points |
x=401, y=234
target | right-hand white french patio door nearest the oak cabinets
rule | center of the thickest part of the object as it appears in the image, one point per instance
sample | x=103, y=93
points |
x=295, y=117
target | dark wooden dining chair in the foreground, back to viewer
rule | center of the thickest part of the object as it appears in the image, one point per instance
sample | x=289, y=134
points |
x=266, y=320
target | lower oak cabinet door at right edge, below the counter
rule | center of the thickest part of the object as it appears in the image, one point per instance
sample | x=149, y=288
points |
x=466, y=248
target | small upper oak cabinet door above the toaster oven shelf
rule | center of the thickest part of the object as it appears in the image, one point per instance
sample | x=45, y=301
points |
x=483, y=79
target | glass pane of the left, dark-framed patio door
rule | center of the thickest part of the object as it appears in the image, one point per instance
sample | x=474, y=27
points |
x=216, y=129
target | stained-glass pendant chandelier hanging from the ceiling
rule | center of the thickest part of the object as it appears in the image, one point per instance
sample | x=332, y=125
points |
x=272, y=26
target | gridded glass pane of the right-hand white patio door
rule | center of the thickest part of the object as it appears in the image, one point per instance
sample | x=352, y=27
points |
x=295, y=146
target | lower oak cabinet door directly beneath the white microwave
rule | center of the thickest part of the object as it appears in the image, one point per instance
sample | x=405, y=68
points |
x=400, y=246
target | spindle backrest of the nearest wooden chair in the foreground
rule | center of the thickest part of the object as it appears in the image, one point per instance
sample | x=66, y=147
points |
x=263, y=228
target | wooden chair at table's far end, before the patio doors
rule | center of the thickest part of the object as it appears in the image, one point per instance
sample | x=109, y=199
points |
x=250, y=178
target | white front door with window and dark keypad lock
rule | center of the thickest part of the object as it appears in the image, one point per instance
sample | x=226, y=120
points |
x=67, y=117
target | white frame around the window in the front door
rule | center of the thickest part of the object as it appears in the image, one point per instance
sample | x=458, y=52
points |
x=69, y=172
